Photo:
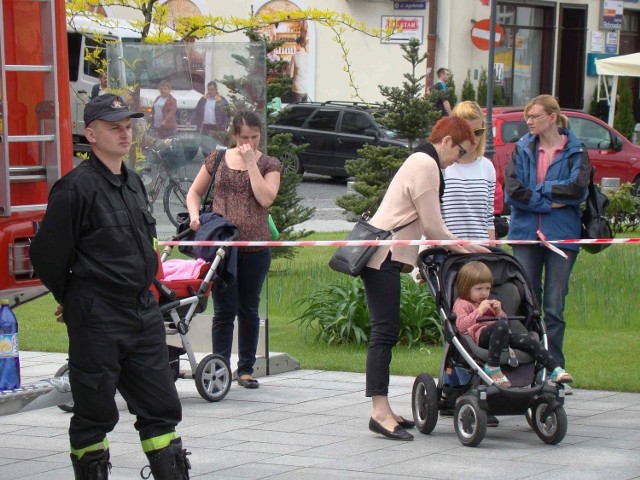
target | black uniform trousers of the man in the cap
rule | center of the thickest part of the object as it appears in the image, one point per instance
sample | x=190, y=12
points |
x=118, y=346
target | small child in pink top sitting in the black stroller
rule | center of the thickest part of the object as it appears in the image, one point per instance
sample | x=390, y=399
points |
x=473, y=309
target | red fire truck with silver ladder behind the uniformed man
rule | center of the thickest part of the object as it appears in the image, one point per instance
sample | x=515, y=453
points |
x=35, y=130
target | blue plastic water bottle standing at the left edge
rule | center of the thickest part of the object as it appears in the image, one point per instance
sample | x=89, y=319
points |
x=9, y=359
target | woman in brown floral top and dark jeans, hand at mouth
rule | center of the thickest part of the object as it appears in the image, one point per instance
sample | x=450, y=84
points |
x=246, y=184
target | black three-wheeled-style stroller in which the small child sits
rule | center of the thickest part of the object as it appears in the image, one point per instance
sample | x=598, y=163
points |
x=463, y=388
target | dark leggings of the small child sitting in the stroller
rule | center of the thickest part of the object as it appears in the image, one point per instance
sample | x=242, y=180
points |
x=497, y=336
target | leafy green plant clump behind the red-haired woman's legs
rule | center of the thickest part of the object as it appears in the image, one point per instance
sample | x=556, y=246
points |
x=340, y=315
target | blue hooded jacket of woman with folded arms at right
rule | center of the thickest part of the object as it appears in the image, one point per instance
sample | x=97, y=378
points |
x=566, y=182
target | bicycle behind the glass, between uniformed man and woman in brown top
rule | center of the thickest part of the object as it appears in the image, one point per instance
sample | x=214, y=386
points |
x=168, y=161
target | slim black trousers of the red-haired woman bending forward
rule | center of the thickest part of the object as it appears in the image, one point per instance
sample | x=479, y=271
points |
x=382, y=288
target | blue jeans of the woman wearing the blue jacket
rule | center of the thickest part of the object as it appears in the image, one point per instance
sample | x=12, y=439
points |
x=557, y=270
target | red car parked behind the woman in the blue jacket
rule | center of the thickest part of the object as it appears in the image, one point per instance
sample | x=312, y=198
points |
x=609, y=151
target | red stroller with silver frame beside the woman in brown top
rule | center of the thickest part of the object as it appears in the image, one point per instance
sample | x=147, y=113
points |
x=179, y=301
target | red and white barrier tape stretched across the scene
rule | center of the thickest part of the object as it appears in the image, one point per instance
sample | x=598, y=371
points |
x=374, y=243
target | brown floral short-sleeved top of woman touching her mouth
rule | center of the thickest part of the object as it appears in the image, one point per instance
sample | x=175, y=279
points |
x=234, y=199
